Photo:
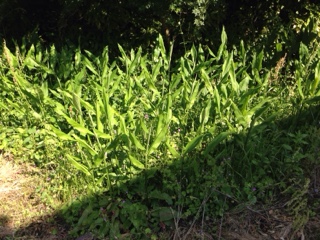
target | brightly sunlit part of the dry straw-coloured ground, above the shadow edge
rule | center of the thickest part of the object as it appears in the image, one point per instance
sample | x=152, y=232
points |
x=20, y=203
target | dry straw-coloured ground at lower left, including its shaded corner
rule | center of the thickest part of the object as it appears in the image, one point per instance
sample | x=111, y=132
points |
x=23, y=213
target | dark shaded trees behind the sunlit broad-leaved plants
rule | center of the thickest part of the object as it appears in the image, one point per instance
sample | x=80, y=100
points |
x=133, y=23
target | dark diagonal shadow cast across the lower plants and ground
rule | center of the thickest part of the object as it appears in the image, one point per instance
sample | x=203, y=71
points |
x=149, y=203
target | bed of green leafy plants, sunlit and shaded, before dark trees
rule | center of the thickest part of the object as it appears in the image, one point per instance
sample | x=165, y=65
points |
x=145, y=144
